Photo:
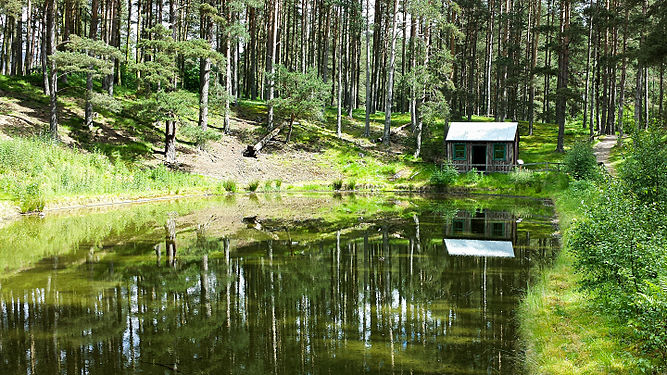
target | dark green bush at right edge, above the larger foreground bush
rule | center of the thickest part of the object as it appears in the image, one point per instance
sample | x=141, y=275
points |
x=645, y=168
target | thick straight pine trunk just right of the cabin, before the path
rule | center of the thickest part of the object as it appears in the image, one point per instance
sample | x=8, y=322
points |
x=563, y=66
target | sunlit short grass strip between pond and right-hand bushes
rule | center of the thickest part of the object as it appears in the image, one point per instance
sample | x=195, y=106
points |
x=563, y=331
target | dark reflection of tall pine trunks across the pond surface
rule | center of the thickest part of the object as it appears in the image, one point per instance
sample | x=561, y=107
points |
x=388, y=297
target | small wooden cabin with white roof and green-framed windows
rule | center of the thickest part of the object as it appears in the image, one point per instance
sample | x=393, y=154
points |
x=485, y=146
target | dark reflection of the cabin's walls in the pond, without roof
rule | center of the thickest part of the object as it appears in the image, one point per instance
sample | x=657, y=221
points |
x=482, y=224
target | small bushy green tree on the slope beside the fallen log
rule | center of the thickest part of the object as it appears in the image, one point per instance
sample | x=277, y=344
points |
x=301, y=96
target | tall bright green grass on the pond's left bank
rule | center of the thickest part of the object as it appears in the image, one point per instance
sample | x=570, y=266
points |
x=34, y=170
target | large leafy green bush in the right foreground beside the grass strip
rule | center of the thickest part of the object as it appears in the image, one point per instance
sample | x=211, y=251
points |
x=620, y=252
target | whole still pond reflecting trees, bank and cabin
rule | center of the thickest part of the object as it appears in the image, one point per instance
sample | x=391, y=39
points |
x=272, y=284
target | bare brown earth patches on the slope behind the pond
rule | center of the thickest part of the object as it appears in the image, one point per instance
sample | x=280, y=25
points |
x=221, y=160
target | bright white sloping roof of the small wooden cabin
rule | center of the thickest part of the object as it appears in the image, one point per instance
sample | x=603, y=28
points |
x=482, y=131
